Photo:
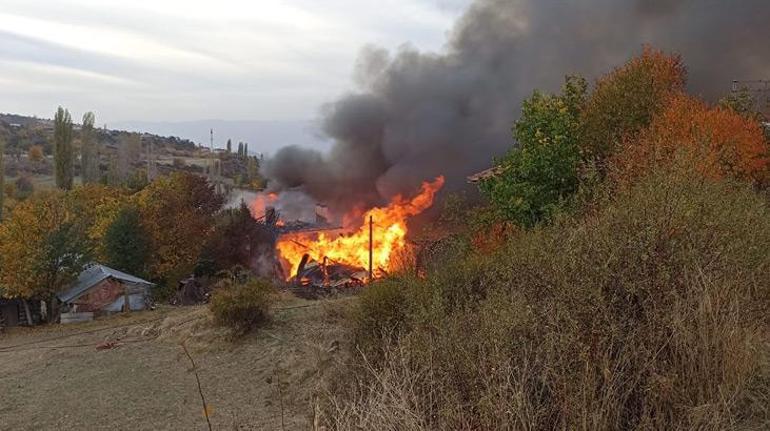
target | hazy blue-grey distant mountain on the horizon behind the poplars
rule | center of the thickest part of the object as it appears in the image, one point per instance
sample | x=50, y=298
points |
x=262, y=136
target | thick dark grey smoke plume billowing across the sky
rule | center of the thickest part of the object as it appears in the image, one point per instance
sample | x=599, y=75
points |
x=416, y=115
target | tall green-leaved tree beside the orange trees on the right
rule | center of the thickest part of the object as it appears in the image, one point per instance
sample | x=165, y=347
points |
x=539, y=176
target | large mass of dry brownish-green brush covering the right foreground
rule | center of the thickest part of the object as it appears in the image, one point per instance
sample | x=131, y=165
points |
x=649, y=312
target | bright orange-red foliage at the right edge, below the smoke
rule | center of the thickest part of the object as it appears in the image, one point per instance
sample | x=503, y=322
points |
x=716, y=142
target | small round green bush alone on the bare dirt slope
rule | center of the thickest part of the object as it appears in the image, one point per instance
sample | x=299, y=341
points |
x=242, y=306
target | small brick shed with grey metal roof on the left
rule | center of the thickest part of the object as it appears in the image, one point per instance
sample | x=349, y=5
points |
x=100, y=289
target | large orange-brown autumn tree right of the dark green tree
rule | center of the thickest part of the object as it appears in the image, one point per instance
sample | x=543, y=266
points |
x=177, y=212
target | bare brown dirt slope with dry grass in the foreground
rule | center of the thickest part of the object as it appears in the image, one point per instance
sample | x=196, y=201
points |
x=131, y=371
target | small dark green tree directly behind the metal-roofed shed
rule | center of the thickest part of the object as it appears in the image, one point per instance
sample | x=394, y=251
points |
x=126, y=245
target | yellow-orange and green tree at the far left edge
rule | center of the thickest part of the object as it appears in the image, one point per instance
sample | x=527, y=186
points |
x=43, y=248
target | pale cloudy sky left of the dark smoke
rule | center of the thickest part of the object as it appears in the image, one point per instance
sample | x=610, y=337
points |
x=185, y=60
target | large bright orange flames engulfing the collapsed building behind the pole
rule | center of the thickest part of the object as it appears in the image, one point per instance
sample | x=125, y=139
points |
x=388, y=234
